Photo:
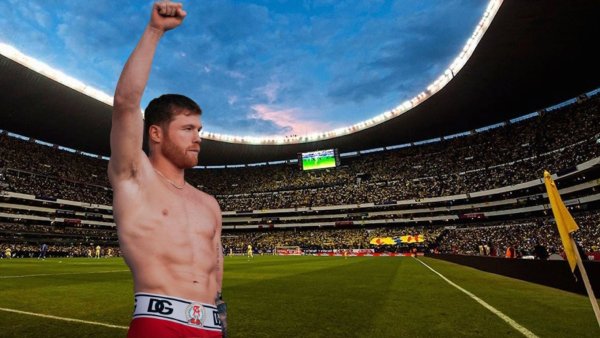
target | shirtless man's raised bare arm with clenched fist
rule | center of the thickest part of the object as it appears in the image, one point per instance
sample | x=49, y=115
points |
x=126, y=135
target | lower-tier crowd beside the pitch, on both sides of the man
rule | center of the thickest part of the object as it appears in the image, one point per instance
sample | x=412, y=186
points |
x=489, y=239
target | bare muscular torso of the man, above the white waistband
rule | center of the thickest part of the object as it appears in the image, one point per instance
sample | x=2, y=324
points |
x=168, y=236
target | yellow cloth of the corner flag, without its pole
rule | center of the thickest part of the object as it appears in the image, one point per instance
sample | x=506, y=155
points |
x=564, y=221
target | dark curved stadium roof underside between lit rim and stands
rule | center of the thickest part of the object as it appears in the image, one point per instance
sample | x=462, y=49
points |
x=535, y=54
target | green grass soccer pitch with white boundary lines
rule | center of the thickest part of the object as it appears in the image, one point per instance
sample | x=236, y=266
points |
x=274, y=296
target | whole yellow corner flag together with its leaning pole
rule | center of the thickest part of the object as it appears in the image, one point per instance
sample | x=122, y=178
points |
x=566, y=225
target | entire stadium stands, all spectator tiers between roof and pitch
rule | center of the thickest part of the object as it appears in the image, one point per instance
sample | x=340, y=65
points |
x=462, y=192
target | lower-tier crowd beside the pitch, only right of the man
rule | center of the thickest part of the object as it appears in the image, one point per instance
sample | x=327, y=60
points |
x=489, y=239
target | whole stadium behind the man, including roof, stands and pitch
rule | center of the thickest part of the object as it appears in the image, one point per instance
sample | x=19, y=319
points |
x=430, y=220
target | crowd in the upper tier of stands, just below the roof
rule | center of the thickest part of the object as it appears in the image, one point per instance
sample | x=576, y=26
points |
x=514, y=153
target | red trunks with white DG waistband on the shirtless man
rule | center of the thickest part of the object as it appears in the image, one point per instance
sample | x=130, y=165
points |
x=168, y=317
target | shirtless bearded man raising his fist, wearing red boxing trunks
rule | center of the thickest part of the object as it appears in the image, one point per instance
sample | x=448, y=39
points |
x=169, y=232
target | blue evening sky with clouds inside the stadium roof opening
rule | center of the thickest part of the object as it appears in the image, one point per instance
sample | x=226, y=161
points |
x=260, y=67
